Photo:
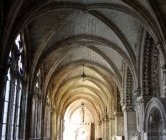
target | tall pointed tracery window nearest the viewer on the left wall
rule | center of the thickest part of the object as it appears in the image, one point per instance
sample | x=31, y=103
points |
x=13, y=91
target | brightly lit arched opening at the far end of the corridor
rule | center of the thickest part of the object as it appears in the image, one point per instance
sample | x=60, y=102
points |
x=79, y=121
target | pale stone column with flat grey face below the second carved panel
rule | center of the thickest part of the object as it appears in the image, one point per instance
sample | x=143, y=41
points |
x=129, y=122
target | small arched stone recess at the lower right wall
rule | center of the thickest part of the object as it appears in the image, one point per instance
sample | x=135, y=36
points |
x=155, y=119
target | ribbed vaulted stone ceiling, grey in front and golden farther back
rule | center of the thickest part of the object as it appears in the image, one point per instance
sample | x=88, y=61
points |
x=102, y=35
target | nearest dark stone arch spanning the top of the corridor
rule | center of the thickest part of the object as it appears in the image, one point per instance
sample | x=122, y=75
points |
x=40, y=8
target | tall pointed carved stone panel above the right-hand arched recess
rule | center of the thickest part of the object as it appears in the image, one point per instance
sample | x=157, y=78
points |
x=151, y=73
